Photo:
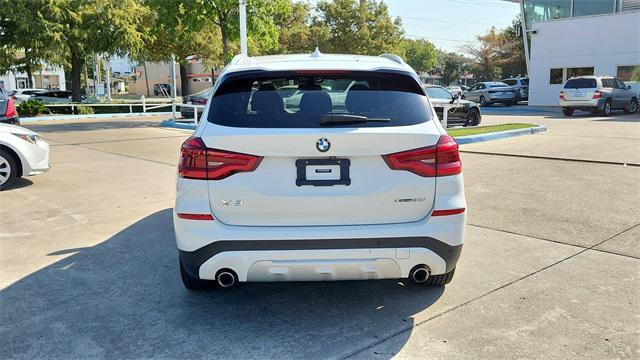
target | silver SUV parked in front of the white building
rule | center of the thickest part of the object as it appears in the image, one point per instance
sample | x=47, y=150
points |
x=597, y=94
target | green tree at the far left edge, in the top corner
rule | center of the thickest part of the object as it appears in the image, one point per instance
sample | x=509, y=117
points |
x=26, y=37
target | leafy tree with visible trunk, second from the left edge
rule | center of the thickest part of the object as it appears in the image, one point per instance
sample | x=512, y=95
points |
x=79, y=28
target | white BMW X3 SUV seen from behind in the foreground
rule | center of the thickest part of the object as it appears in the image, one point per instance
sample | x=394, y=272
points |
x=351, y=177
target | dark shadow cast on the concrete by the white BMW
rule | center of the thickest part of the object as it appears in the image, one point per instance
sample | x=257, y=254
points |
x=123, y=299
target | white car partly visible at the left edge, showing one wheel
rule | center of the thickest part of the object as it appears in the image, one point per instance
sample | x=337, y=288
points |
x=22, y=153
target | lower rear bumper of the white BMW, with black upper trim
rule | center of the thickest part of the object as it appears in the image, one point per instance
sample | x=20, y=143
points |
x=321, y=259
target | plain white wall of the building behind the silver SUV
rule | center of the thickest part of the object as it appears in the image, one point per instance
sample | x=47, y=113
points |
x=602, y=41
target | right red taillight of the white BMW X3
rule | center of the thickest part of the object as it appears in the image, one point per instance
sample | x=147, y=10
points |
x=442, y=159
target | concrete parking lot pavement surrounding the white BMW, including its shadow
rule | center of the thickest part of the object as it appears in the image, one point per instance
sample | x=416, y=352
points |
x=550, y=268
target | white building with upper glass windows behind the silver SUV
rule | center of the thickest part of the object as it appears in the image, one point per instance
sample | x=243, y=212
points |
x=565, y=38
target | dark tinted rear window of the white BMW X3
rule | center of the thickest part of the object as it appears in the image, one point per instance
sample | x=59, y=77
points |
x=302, y=99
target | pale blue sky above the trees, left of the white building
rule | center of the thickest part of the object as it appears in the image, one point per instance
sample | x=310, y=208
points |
x=450, y=23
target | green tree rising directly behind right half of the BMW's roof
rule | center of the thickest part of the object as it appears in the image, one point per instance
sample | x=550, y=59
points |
x=355, y=27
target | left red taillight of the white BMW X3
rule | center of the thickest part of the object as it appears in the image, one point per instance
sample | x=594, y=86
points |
x=200, y=163
